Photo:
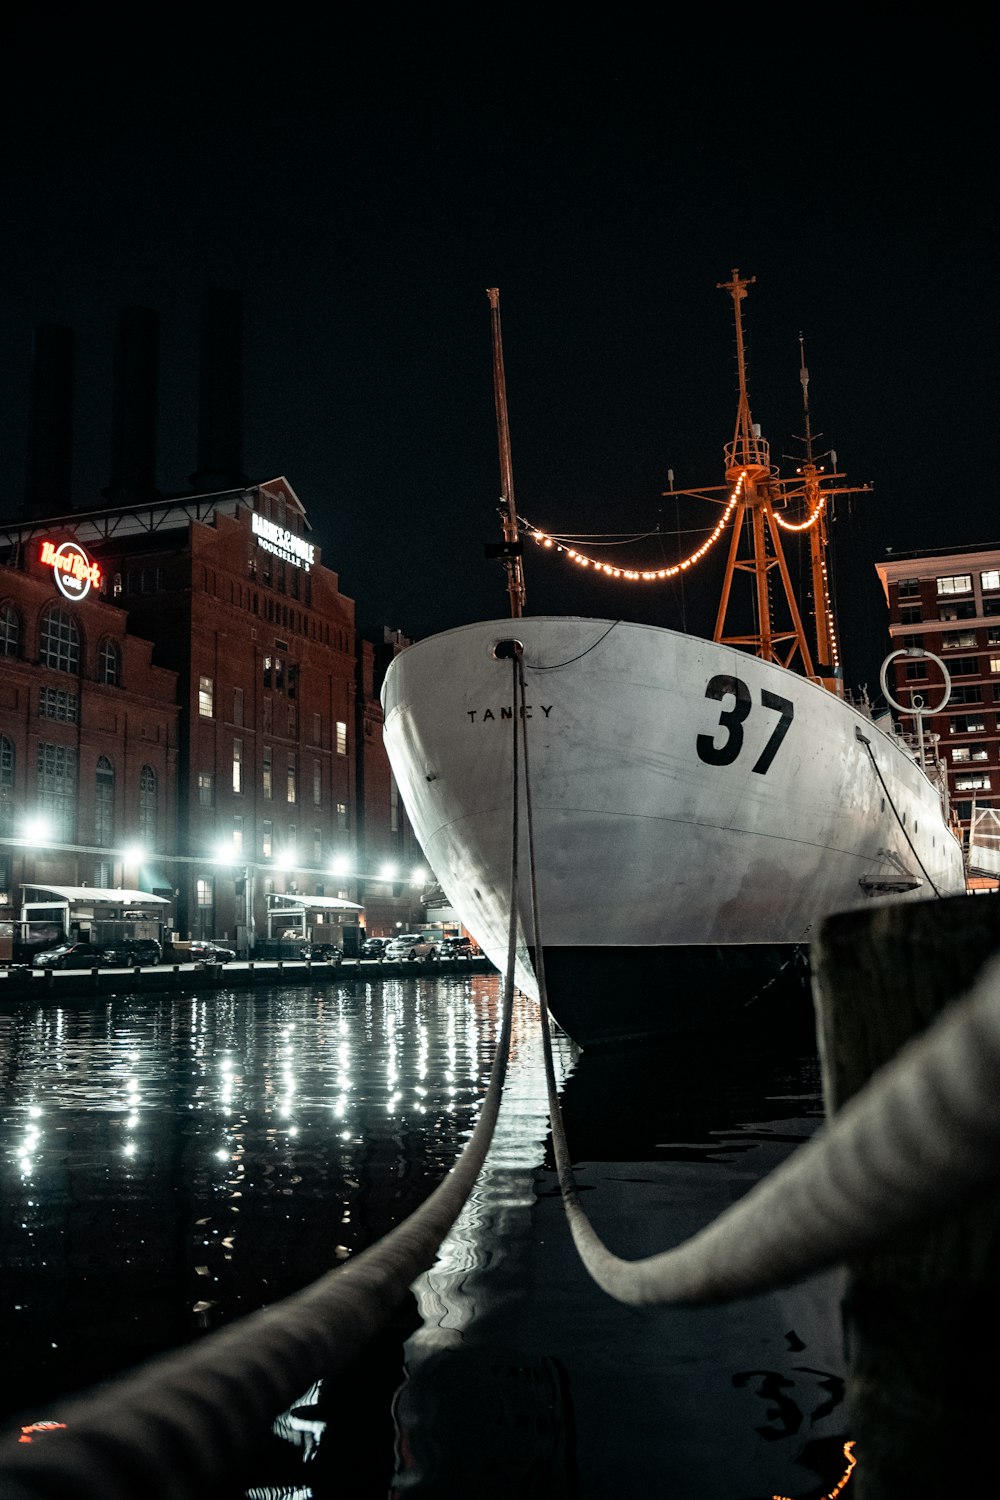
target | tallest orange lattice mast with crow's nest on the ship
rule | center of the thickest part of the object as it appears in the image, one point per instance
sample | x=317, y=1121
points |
x=749, y=467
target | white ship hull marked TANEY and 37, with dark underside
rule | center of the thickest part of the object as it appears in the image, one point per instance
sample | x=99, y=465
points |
x=698, y=812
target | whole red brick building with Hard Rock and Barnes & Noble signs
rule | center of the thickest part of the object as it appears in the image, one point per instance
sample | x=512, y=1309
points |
x=206, y=712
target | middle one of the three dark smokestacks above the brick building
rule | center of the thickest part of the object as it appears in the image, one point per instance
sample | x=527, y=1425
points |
x=134, y=431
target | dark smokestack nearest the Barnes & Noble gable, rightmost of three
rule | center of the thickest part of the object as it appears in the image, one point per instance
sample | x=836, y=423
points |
x=221, y=394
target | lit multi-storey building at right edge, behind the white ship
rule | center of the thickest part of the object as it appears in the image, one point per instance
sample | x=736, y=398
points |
x=948, y=604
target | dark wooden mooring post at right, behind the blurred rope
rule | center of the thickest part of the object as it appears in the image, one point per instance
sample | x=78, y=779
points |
x=921, y=1313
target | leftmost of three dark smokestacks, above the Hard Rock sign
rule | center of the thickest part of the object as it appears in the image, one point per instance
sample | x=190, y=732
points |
x=49, y=478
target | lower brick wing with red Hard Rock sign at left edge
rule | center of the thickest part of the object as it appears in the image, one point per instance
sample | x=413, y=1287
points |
x=89, y=728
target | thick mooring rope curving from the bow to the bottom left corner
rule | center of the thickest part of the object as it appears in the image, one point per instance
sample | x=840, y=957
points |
x=184, y=1424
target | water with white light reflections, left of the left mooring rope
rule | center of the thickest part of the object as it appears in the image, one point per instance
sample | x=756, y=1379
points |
x=170, y=1165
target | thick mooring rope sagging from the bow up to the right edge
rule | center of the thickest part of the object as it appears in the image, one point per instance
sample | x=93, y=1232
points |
x=918, y=1139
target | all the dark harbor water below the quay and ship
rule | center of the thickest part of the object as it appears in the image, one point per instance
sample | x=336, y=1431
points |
x=173, y=1163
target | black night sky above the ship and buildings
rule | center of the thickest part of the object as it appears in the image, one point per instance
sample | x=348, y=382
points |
x=364, y=197
